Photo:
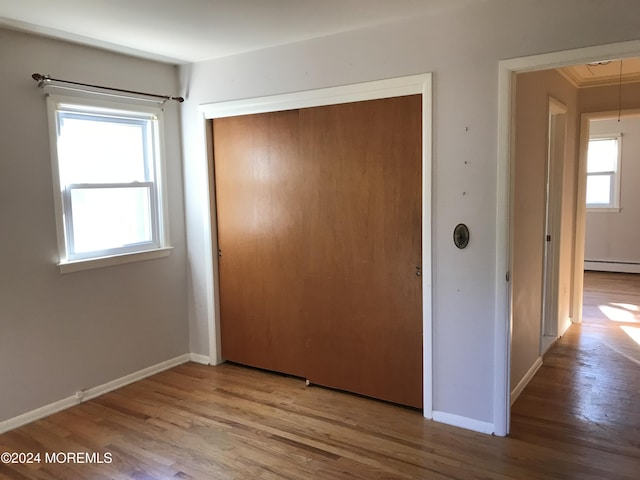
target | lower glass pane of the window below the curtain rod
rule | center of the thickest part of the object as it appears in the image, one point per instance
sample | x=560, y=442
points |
x=108, y=218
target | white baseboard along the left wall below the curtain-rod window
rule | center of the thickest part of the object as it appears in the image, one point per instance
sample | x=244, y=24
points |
x=90, y=393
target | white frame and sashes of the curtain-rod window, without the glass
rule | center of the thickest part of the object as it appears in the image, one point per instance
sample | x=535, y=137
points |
x=127, y=110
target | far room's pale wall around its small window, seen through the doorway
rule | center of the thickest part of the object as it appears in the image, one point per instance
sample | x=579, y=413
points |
x=614, y=237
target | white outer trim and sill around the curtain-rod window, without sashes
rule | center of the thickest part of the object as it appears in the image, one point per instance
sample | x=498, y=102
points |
x=129, y=106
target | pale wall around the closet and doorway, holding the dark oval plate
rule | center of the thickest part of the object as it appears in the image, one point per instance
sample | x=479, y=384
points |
x=462, y=47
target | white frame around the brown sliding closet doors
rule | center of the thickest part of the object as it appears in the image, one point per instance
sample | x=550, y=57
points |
x=394, y=87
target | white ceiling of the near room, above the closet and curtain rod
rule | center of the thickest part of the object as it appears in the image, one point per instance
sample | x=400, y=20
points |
x=186, y=31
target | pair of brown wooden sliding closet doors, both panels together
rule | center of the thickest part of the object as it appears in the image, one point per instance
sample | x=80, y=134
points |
x=319, y=227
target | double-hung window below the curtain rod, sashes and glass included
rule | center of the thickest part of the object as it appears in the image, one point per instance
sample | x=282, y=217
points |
x=108, y=169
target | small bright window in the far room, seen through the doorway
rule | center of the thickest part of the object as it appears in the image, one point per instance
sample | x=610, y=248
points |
x=603, y=172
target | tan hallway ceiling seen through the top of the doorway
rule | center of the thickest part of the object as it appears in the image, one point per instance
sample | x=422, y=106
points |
x=606, y=72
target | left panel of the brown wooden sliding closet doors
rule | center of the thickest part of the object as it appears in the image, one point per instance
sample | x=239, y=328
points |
x=260, y=197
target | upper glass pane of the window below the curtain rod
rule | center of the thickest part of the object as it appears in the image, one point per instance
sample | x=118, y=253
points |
x=95, y=149
